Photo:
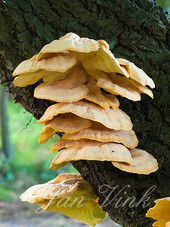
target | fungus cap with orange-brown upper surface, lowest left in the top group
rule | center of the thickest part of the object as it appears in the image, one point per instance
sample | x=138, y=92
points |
x=70, y=89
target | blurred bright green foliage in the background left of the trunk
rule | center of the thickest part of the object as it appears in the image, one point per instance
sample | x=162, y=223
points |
x=31, y=160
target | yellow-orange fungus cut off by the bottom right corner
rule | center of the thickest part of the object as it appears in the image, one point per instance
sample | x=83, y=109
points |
x=160, y=212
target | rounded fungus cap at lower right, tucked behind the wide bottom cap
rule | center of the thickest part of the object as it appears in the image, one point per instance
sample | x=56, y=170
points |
x=144, y=163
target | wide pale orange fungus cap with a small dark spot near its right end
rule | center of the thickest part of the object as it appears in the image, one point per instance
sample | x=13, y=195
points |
x=92, y=150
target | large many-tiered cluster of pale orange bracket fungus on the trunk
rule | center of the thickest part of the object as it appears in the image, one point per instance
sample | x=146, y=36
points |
x=84, y=79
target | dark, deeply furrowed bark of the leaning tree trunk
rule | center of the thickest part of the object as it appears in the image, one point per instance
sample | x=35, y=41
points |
x=136, y=30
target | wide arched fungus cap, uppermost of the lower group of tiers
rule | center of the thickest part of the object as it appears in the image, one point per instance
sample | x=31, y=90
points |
x=112, y=118
